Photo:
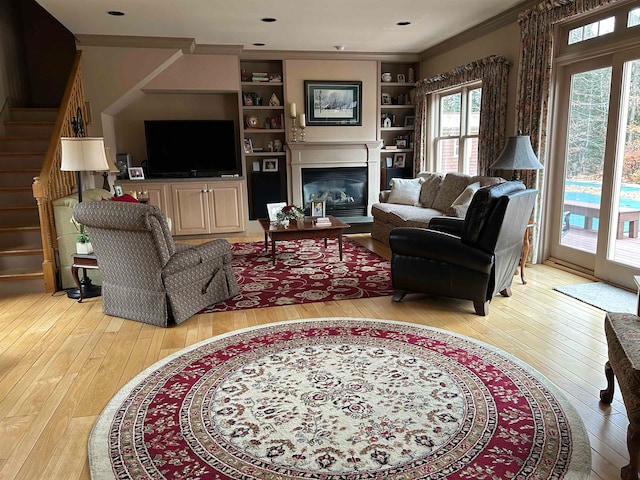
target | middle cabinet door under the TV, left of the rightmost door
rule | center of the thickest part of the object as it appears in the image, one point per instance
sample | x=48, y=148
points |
x=190, y=208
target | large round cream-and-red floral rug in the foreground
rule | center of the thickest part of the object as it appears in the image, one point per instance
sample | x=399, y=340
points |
x=339, y=399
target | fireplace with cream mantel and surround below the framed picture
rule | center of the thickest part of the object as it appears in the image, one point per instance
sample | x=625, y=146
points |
x=335, y=161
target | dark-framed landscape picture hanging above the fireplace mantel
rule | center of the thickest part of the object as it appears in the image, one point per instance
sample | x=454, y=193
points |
x=333, y=103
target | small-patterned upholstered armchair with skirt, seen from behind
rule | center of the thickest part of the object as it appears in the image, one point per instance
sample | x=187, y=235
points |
x=145, y=275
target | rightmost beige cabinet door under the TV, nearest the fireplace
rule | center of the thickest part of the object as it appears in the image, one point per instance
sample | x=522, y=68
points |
x=227, y=215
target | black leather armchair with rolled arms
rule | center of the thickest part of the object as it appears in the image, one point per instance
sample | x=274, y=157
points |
x=472, y=258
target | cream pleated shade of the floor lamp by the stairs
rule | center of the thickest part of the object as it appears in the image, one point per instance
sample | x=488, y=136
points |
x=83, y=154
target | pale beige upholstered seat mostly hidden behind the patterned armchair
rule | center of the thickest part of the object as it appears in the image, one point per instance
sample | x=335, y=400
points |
x=67, y=234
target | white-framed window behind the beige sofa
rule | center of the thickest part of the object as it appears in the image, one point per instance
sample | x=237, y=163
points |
x=456, y=117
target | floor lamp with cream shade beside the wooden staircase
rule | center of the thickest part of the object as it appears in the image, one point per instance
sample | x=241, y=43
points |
x=83, y=154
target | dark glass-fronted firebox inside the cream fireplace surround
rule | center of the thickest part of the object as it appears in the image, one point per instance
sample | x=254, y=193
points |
x=344, y=190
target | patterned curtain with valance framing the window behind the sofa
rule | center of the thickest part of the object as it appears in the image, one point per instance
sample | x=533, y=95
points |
x=494, y=73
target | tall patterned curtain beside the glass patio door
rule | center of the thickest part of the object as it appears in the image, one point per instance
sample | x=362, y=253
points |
x=534, y=75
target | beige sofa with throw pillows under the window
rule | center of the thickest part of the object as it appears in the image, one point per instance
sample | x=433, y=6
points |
x=414, y=202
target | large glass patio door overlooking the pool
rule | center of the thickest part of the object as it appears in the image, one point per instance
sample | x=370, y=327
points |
x=595, y=224
